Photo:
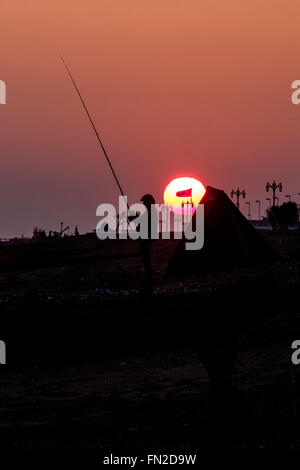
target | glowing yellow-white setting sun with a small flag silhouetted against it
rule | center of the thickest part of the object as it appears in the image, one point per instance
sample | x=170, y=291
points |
x=183, y=190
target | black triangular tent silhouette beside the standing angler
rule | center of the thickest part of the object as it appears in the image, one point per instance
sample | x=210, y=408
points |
x=229, y=240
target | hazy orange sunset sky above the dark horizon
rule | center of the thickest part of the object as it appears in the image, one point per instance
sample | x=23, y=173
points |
x=197, y=88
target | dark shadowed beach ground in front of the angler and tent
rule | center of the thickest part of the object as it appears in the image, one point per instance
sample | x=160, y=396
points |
x=205, y=365
